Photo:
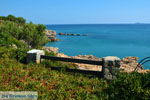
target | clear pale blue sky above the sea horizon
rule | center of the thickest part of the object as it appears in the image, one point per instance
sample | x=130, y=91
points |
x=78, y=11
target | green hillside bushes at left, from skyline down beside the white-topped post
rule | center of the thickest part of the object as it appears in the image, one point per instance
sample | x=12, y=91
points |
x=17, y=36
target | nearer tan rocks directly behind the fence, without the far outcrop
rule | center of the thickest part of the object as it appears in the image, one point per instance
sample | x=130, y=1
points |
x=128, y=64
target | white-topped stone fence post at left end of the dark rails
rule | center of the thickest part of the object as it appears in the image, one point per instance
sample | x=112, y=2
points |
x=34, y=56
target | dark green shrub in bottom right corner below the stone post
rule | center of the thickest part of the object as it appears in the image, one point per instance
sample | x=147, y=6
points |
x=133, y=86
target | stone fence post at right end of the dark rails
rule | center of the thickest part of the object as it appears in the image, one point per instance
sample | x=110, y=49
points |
x=110, y=67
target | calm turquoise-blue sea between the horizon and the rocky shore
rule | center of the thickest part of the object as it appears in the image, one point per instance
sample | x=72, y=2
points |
x=120, y=40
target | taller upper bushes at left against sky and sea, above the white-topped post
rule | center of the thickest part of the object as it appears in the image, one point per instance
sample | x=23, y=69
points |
x=13, y=30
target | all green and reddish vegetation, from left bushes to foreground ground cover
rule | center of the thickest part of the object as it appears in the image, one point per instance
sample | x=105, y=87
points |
x=51, y=84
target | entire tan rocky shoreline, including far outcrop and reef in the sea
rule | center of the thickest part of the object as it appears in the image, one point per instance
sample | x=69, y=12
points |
x=128, y=63
